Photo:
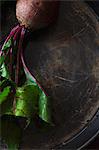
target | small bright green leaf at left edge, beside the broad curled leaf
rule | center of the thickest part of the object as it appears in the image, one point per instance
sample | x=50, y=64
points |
x=6, y=97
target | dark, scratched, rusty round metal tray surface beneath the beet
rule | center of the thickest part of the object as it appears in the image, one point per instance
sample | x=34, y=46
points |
x=65, y=60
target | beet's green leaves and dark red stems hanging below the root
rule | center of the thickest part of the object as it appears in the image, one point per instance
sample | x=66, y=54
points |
x=20, y=94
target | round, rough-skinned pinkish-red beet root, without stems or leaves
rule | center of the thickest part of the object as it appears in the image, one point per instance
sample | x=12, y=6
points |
x=36, y=13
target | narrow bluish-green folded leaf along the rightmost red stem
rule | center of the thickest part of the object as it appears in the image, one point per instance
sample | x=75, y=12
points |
x=43, y=100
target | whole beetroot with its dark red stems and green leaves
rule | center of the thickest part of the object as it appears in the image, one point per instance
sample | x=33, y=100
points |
x=15, y=79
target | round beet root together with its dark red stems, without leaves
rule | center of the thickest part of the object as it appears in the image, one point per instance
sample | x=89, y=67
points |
x=31, y=14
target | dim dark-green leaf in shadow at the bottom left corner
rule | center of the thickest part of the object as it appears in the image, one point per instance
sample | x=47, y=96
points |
x=11, y=133
